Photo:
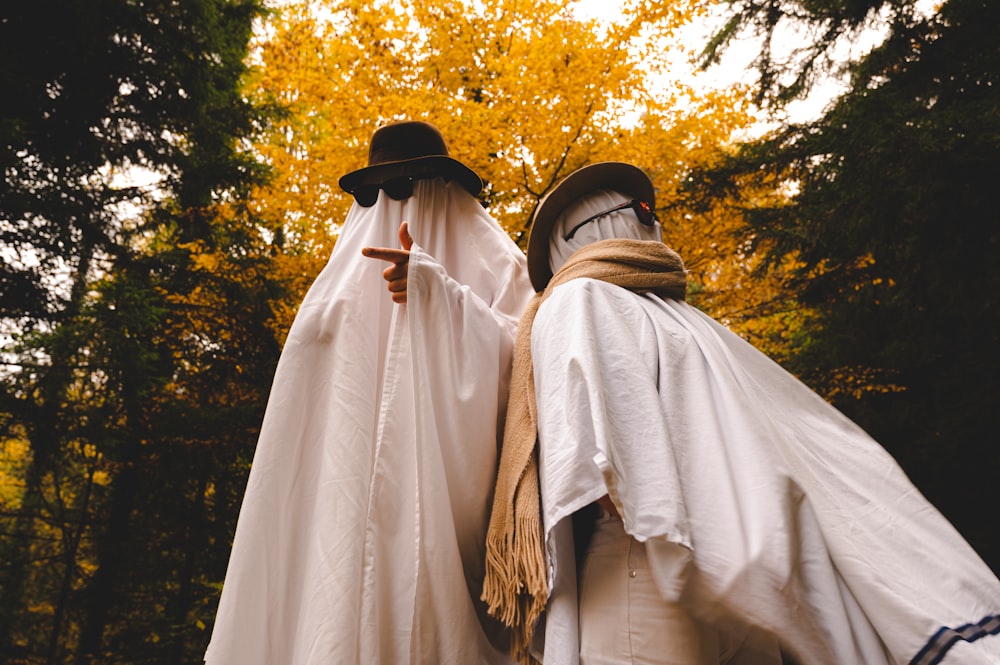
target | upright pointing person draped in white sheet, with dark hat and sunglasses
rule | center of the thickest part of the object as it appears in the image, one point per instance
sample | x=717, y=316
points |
x=360, y=537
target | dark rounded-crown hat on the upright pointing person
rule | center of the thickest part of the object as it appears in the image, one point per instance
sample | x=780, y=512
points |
x=410, y=148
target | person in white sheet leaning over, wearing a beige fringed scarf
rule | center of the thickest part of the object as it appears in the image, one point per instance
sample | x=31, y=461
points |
x=742, y=519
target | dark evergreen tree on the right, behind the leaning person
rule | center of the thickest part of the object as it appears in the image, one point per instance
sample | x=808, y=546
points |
x=894, y=229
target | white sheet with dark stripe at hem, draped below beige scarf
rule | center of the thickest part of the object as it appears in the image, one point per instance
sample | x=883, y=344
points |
x=760, y=504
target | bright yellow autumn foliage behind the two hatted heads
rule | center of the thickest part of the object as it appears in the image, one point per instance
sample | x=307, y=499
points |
x=524, y=93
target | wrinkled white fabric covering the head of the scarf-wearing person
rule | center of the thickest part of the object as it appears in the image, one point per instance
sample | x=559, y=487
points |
x=619, y=224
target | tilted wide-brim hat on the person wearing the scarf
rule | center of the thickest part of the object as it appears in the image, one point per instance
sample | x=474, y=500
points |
x=618, y=176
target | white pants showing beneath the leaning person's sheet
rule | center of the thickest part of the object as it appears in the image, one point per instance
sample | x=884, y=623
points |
x=622, y=617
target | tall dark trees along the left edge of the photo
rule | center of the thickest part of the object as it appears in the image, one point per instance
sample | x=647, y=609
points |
x=96, y=272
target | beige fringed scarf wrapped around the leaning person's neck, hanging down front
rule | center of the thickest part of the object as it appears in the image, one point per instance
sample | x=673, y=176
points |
x=515, y=587
